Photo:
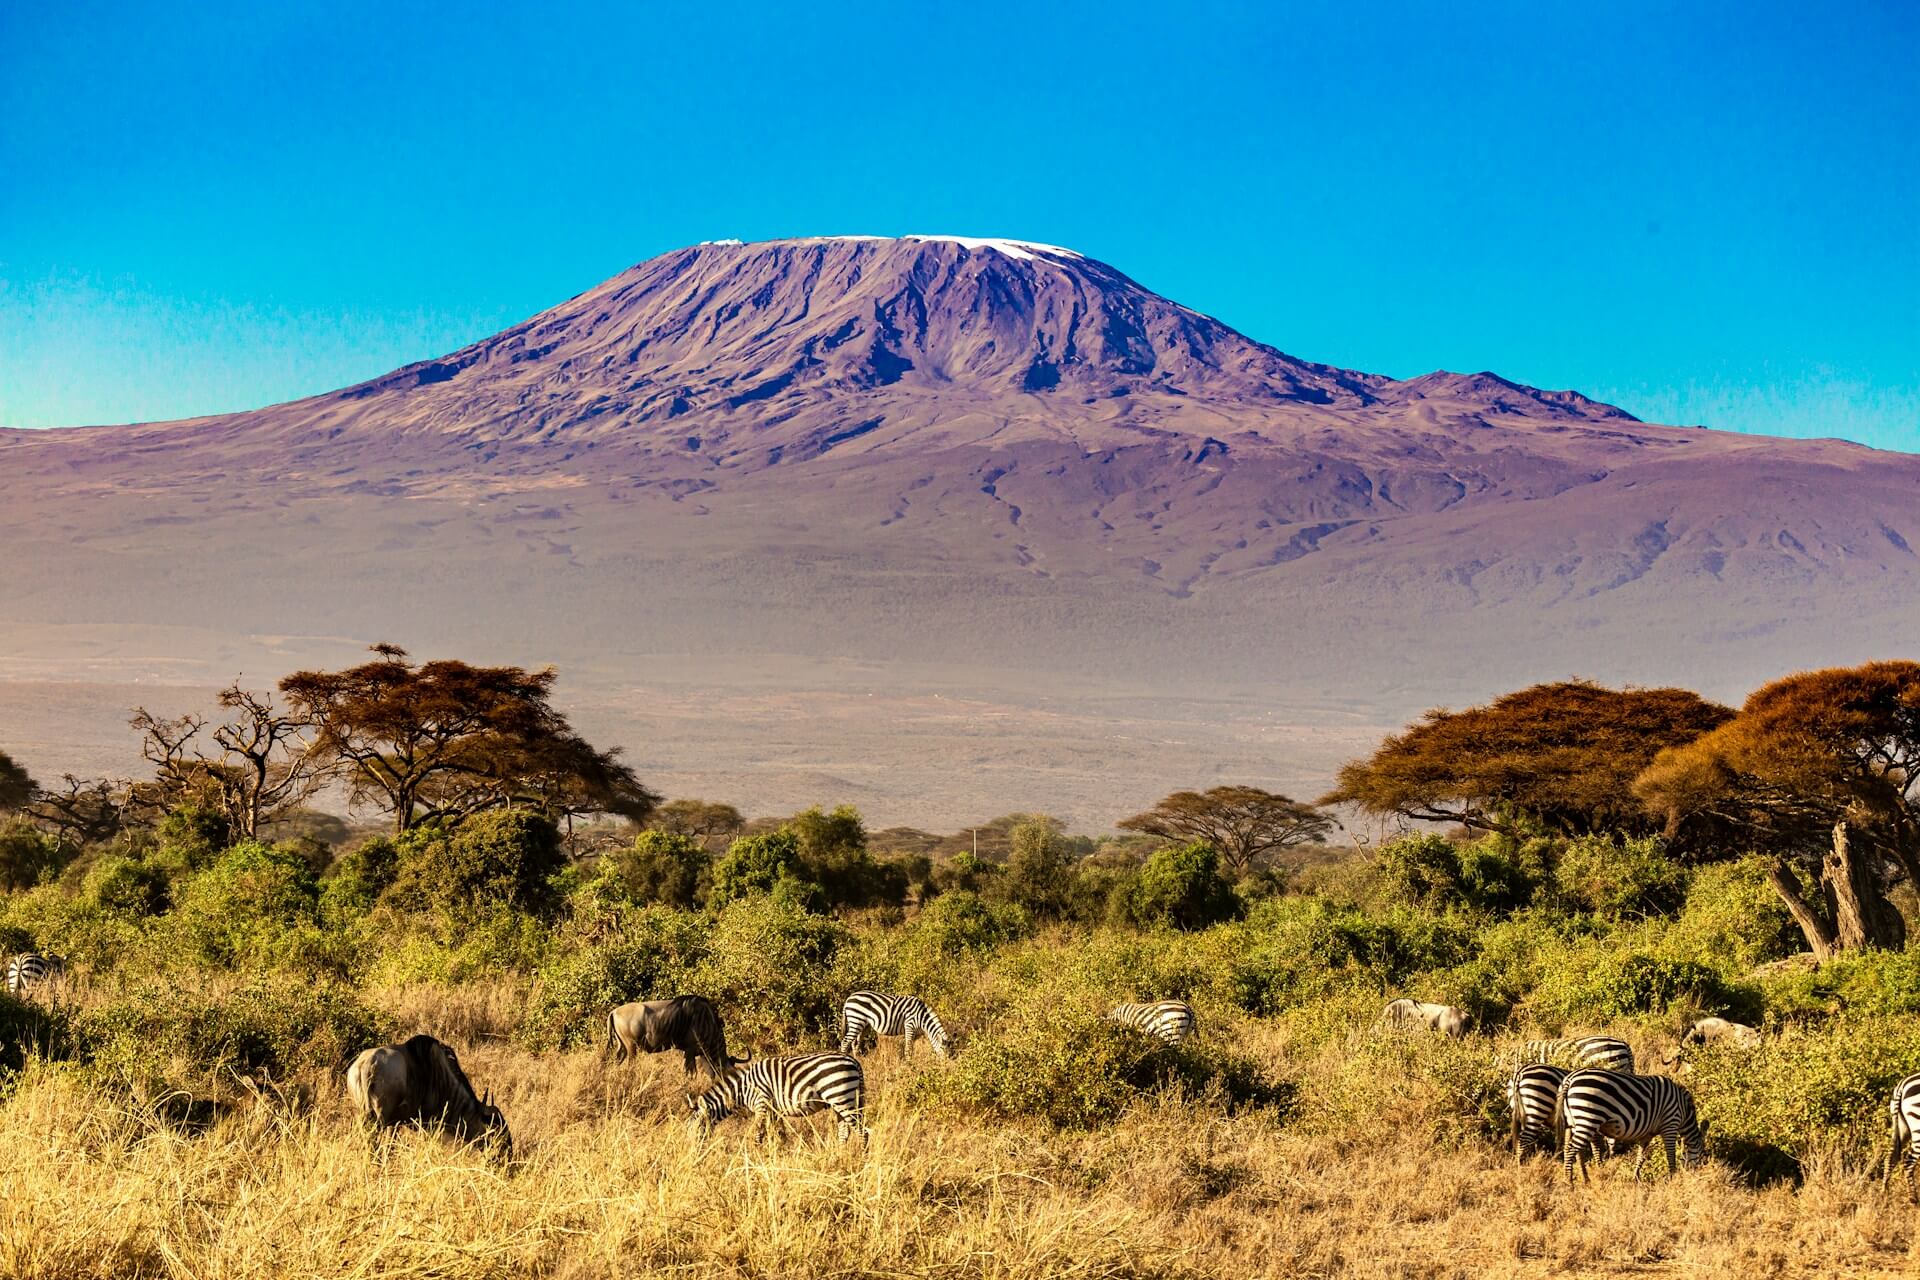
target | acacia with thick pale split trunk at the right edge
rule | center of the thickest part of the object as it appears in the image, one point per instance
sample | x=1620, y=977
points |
x=1823, y=772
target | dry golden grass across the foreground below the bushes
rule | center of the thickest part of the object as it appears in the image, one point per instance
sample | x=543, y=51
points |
x=606, y=1183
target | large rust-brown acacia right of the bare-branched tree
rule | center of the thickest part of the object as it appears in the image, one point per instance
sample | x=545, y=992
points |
x=448, y=740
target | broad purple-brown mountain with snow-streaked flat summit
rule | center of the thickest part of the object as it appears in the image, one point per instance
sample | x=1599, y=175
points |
x=923, y=488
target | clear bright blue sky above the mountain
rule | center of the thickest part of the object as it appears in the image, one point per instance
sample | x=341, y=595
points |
x=1702, y=212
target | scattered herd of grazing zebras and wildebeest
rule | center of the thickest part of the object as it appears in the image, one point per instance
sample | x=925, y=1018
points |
x=1579, y=1095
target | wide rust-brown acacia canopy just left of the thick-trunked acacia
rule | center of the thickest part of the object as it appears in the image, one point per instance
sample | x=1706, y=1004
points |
x=1562, y=755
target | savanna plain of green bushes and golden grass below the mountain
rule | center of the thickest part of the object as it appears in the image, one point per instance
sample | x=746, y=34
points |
x=174, y=1106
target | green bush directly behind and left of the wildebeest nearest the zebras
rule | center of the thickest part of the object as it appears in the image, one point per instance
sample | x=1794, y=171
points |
x=581, y=985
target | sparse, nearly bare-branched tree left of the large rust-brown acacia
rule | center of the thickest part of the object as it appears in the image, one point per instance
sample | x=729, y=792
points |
x=264, y=767
